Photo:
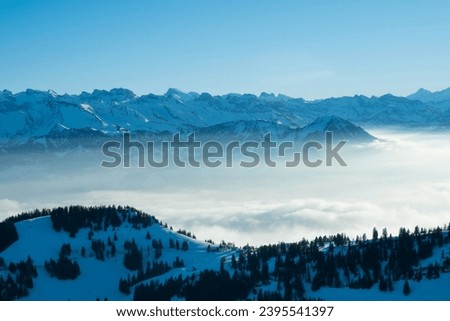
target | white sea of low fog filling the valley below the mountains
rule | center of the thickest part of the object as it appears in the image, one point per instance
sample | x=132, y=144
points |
x=403, y=180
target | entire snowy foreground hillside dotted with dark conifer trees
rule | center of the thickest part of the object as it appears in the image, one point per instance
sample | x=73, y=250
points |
x=113, y=253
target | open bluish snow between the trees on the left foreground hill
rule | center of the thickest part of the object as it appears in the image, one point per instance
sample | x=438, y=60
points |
x=100, y=278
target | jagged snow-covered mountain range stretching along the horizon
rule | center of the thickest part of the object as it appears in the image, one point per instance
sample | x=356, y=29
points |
x=46, y=118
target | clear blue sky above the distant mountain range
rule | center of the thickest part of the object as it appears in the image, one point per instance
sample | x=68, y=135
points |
x=310, y=49
